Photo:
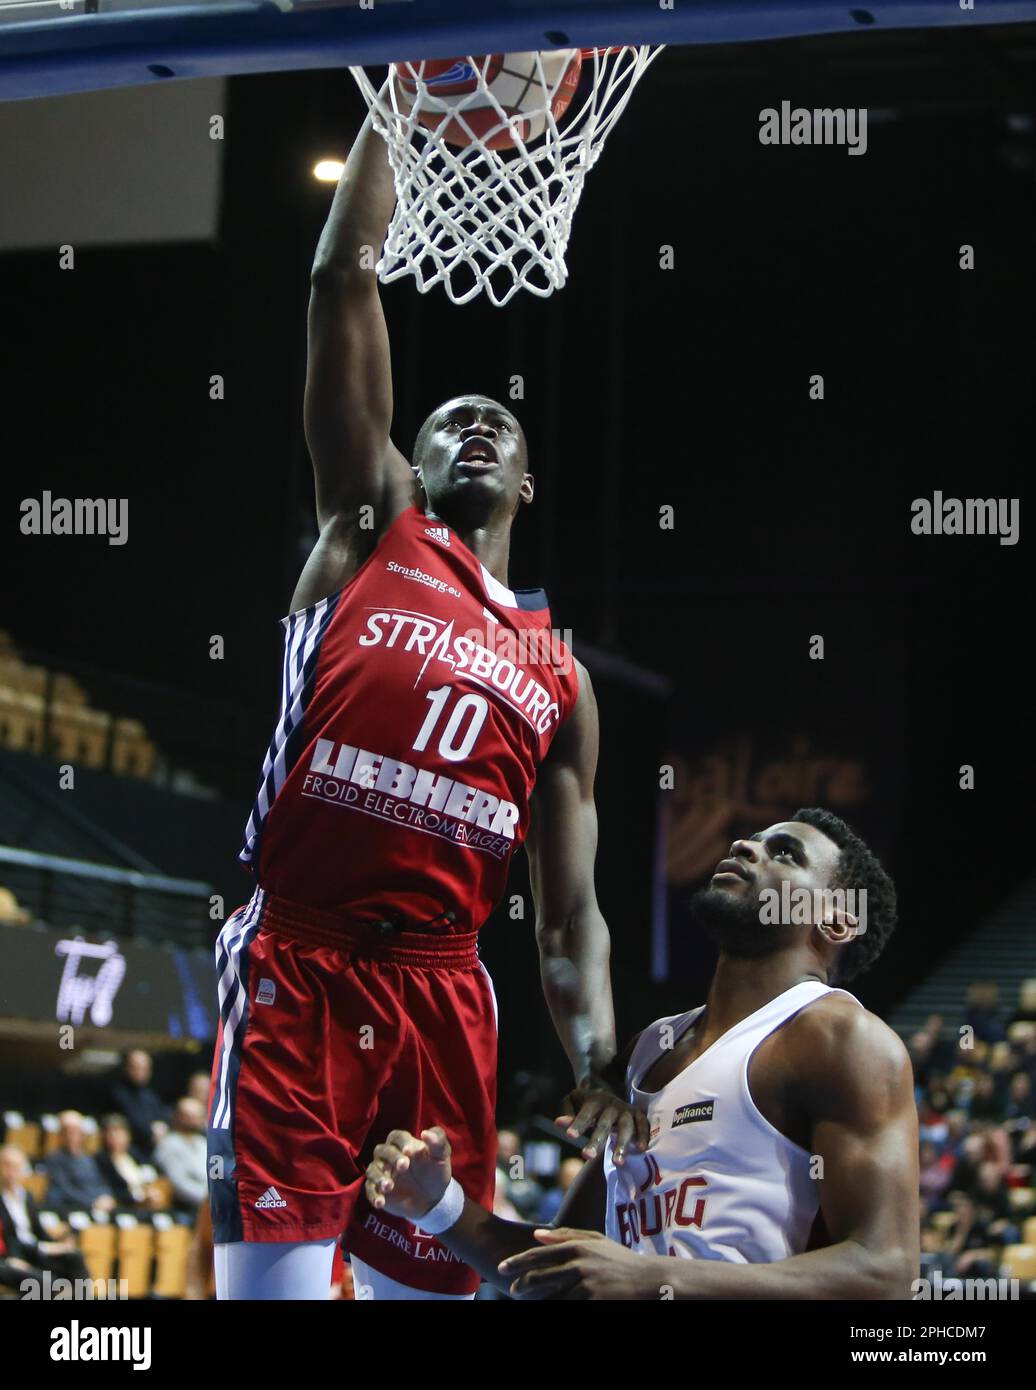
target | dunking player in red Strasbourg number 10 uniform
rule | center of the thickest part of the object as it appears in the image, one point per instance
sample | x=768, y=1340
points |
x=422, y=700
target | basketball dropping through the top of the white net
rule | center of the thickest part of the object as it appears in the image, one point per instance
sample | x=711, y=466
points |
x=494, y=99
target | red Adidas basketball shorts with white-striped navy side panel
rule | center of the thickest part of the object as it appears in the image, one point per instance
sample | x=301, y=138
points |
x=332, y=1036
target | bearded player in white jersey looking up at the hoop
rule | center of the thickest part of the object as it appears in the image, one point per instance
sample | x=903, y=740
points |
x=784, y=1153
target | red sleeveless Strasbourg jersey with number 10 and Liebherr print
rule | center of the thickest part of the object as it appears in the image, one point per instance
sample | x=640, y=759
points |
x=416, y=707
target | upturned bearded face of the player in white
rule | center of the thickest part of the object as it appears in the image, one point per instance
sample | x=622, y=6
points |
x=738, y=908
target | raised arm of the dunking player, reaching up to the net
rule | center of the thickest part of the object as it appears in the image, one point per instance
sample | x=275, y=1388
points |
x=348, y=405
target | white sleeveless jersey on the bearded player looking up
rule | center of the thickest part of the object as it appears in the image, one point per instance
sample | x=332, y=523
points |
x=718, y=1181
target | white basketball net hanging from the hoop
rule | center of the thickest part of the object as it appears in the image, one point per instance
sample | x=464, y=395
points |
x=479, y=219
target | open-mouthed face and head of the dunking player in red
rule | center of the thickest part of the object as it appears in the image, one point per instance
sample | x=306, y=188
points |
x=475, y=457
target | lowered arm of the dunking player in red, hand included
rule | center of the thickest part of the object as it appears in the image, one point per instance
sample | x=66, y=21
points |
x=571, y=929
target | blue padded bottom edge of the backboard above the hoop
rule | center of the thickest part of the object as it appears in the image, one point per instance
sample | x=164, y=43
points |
x=56, y=47
